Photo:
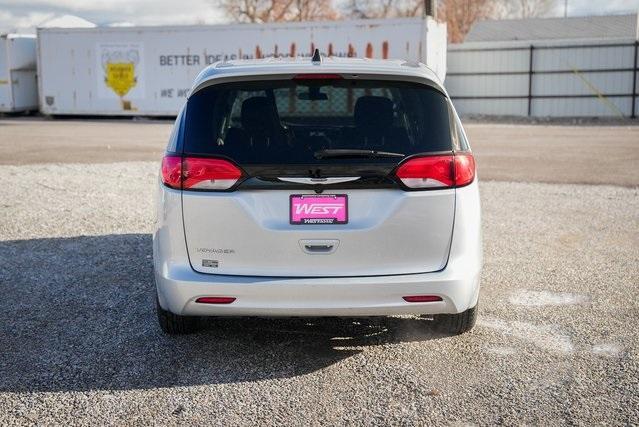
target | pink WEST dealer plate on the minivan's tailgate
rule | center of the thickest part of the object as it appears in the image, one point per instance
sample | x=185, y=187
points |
x=319, y=209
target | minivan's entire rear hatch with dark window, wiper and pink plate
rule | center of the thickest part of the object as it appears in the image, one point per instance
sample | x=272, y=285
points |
x=298, y=178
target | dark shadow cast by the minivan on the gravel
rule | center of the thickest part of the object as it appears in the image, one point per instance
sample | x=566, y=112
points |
x=78, y=314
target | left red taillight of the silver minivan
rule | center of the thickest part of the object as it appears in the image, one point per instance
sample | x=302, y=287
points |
x=194, y=173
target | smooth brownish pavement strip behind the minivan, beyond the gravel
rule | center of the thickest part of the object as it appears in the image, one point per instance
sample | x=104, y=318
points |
x=505, y=152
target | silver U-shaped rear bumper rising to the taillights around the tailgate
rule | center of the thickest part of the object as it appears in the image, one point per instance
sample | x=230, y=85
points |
x=178, y=285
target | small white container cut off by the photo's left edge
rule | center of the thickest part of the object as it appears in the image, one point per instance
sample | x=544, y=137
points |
x=18, y=87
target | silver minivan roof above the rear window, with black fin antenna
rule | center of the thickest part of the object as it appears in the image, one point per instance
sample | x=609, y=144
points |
x=400, y=69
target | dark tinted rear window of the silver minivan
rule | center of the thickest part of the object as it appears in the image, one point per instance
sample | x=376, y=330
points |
x=290, y=121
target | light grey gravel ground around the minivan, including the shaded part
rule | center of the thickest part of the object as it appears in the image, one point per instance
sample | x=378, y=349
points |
x=555, y=341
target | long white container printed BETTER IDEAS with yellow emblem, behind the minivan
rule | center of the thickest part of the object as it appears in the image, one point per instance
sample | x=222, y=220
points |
x=149, y=70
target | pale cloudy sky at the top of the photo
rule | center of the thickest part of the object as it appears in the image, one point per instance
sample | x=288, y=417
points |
x=29, y=13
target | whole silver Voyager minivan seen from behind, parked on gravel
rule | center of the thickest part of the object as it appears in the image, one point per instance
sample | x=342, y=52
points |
x=324, y=187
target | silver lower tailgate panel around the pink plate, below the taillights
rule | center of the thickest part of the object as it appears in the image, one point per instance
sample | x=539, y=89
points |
x=389, y=231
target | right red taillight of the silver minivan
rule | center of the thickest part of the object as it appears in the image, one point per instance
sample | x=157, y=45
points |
x=442, y=171
